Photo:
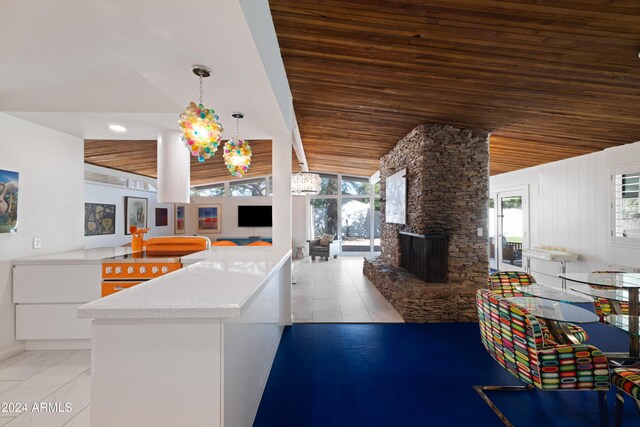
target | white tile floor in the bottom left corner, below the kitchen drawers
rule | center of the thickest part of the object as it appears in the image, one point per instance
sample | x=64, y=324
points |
x=57, y=376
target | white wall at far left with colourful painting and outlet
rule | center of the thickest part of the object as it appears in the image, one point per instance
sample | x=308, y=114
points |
x=50, y=204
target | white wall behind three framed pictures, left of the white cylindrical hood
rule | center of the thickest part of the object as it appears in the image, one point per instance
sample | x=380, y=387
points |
x=100, y=193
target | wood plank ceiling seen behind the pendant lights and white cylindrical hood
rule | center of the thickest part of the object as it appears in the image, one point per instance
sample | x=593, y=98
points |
x=139, y=157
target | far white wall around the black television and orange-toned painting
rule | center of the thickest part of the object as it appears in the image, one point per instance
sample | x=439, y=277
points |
x=229, y=216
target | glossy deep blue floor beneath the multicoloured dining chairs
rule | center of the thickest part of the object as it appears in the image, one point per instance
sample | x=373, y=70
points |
x=411, y=375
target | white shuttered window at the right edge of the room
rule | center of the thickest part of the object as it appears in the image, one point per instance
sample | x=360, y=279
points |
x=626, y=206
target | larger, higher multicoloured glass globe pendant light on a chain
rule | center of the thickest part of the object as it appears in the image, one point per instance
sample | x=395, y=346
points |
x=200, y=127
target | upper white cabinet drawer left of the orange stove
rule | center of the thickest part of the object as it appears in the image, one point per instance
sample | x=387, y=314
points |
x=56, y=283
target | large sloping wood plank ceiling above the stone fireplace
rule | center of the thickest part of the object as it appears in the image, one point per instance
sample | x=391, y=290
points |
x=552, y=79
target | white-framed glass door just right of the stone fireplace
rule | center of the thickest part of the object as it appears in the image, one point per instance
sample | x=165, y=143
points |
x=508, y=223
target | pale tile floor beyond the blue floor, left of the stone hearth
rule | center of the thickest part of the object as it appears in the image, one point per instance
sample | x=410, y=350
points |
x=336, y=291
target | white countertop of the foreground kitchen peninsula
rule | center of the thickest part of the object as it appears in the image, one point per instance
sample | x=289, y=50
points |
x=220, y=284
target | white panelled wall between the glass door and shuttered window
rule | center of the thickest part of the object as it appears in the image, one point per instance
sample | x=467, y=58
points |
x=569, y=207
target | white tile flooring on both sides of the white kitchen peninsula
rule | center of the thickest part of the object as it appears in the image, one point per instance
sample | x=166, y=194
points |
x=326, y=292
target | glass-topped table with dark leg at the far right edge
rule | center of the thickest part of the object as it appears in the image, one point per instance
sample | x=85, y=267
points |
x=618, y=287
